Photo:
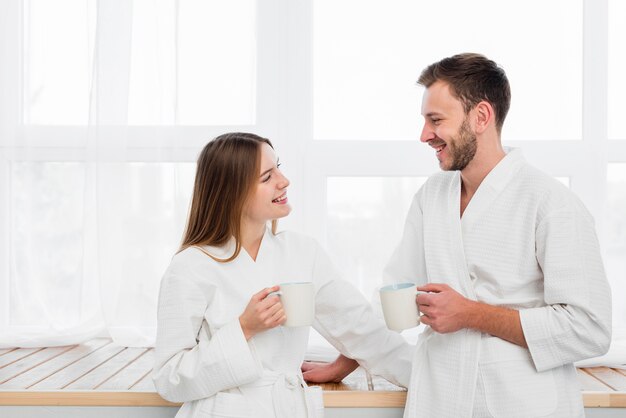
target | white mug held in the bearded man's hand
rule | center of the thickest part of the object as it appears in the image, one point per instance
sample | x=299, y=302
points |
x=399, y=306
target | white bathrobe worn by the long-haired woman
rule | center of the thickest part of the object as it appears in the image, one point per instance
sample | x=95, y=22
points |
x=203, y=359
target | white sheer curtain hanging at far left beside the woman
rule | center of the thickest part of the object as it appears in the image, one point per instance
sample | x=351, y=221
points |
x=91, y=208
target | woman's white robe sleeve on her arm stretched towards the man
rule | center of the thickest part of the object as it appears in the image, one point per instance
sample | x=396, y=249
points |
x=347, y=321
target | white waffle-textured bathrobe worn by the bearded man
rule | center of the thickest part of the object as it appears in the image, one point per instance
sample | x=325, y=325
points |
x=524, y=242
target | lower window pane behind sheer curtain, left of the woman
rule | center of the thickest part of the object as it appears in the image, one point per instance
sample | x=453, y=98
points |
x=133, y=218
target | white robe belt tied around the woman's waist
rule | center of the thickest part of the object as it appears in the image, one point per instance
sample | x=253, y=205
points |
x=283, y=387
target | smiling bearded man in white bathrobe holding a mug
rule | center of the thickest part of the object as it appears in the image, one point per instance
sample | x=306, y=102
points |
x=509, y=258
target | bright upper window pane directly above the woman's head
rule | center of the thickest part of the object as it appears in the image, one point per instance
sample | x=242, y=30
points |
x=198, y=70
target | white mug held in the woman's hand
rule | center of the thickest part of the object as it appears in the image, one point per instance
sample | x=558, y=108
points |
x=298, y=299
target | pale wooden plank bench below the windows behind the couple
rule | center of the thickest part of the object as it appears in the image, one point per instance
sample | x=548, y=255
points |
x=101, y=373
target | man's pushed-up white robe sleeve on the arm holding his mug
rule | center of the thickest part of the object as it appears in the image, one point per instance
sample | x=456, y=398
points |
x=576, y=323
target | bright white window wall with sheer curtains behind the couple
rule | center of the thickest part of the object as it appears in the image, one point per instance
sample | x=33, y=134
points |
x=105, y=106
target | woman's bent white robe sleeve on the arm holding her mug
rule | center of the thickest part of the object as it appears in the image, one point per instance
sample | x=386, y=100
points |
x=187, y=366
